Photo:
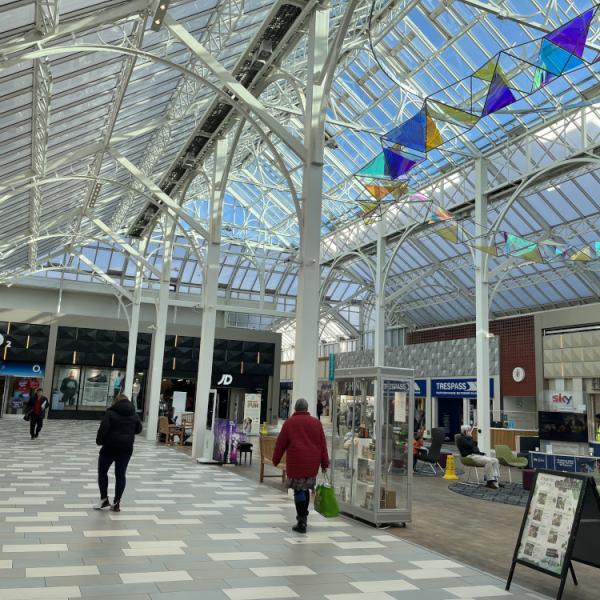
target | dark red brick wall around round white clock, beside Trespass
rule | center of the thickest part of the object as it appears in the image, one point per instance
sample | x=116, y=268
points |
x=517, y=349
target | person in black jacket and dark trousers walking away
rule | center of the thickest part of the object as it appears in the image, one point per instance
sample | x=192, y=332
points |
x=116, y=436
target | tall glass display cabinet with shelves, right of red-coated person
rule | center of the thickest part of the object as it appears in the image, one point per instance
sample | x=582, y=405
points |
x=372, y=434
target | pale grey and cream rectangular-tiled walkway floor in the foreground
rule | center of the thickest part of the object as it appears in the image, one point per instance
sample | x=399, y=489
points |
x=188, y=532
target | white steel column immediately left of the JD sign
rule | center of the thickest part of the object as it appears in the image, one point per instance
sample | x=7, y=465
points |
x=209, y=301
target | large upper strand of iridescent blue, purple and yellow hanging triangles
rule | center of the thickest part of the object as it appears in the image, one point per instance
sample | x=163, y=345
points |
x=490, y=89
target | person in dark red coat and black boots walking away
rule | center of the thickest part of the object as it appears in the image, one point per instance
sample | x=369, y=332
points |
x=302, y=440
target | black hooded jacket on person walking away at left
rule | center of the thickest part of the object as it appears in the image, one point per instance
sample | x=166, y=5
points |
x=118, y=428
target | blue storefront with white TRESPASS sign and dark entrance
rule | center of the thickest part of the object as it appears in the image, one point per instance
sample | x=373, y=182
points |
x=455, y=403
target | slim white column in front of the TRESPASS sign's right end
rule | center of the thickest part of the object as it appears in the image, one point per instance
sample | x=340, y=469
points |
x=482, y=341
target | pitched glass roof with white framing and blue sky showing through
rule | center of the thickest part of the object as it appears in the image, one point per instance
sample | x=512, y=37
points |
x=63, y=117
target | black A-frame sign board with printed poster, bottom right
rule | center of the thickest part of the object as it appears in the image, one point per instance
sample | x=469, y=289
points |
x=561, y=524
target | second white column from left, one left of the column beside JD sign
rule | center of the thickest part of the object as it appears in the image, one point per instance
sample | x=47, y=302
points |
x=158, y=343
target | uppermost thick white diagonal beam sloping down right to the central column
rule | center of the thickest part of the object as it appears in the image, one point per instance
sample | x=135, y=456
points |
x=226, y=79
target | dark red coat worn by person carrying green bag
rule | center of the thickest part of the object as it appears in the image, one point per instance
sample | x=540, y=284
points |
x=302, y=439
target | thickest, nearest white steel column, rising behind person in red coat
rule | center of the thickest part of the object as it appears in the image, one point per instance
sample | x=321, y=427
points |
x=309, y=276
